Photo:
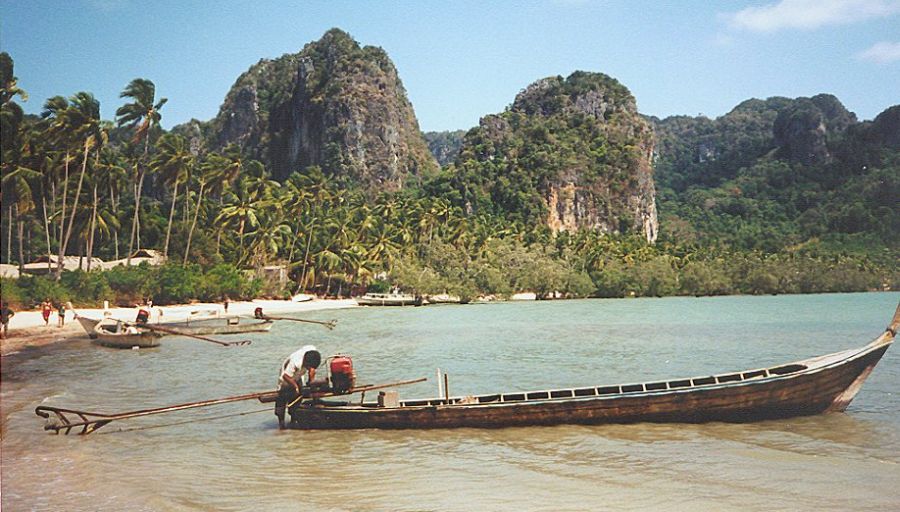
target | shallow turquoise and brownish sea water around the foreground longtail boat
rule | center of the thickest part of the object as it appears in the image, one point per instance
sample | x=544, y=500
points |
x=236, y=459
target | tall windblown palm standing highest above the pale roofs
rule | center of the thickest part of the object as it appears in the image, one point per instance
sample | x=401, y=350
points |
x=143, y=115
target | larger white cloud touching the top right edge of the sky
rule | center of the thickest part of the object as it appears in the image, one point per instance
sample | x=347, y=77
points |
x=809, y=14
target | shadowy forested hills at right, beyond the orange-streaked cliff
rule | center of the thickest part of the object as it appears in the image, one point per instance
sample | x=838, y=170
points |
x=777, y=173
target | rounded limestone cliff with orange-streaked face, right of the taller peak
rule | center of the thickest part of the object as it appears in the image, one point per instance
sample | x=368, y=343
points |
x=572, y=153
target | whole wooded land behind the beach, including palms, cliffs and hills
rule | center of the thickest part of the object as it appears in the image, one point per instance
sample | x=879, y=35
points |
x=554, y=195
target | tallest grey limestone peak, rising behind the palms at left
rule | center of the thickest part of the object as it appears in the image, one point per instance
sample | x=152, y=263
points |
x=334, y=104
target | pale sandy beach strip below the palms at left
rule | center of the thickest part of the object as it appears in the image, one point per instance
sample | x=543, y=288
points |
x=27, y=329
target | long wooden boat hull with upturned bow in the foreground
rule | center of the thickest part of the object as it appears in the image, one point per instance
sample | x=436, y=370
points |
x=812, y=386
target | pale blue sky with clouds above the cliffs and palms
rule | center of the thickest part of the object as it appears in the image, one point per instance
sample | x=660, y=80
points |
x=462, y=60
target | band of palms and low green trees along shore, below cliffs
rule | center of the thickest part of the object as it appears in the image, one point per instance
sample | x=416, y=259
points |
x=74, y=184
